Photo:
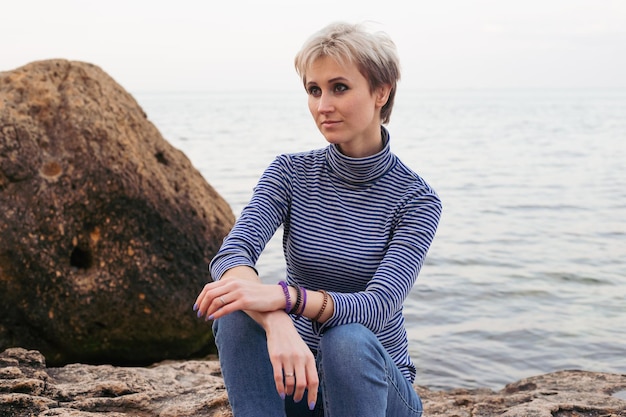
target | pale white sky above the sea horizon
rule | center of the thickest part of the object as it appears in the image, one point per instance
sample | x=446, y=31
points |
x=204, y=45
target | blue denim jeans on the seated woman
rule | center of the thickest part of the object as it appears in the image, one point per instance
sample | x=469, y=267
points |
x=357, y=376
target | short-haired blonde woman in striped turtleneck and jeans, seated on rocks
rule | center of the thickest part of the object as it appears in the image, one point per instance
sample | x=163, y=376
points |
x=357, y=226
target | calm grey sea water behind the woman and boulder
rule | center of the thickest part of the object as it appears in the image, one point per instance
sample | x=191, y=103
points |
x=527, y=273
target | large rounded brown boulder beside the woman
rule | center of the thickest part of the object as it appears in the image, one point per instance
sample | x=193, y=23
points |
x=105, y=228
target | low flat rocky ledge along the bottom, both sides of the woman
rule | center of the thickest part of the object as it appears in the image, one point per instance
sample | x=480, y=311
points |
x=195, y=388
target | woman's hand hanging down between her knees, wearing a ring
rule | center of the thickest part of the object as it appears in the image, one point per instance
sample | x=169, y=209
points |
x=292, y=360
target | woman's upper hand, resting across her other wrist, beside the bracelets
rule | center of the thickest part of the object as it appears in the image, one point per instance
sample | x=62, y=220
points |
x=228, y=295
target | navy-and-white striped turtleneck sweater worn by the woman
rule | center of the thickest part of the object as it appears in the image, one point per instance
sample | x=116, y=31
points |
x=358, y=228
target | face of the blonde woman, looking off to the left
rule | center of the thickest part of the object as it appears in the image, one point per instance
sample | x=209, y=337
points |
x=344, y=109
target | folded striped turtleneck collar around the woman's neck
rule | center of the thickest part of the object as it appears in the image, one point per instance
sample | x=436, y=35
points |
x=361, y=170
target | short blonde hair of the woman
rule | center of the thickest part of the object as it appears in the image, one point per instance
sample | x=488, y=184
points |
x=374, y=54
